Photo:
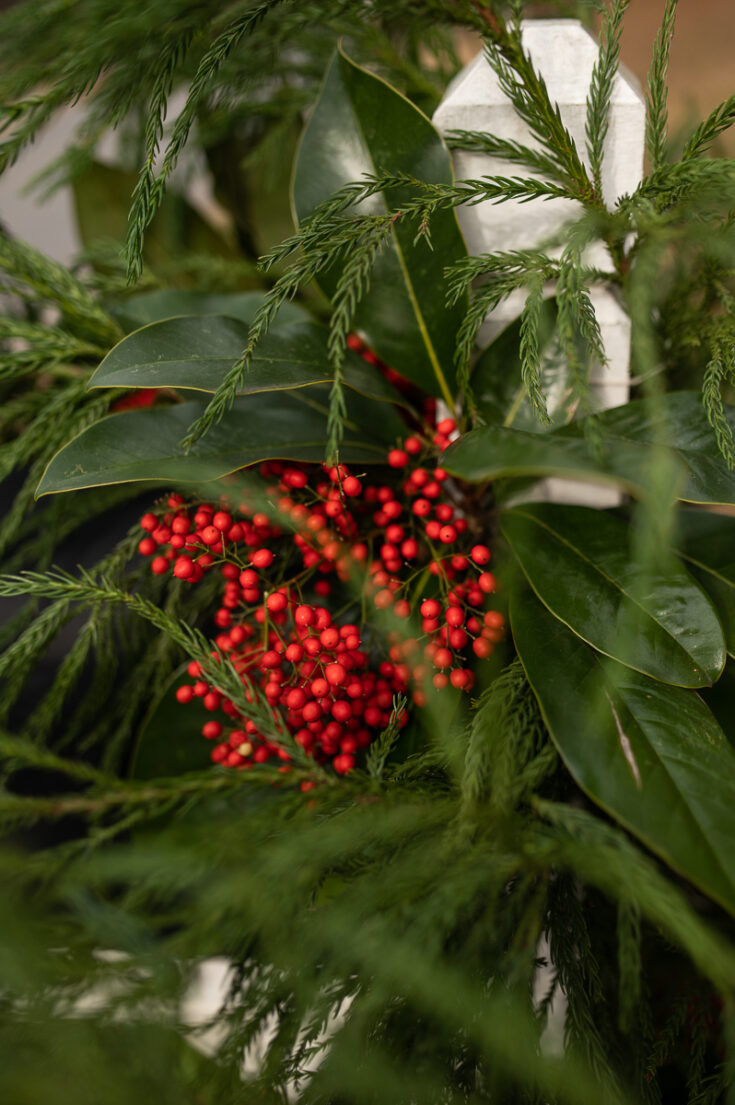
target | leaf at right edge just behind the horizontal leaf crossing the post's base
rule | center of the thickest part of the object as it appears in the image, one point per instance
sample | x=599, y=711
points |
x=679, y=423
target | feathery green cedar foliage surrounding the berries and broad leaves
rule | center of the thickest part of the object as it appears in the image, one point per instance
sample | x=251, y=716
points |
x=384, y=938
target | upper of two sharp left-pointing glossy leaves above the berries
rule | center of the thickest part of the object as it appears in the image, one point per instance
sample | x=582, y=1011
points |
x=196, y=353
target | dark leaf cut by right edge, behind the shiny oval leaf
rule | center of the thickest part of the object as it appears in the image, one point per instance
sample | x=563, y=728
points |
x=708, y=545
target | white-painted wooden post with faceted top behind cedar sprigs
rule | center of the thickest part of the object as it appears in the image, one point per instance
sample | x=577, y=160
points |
x=564, y=54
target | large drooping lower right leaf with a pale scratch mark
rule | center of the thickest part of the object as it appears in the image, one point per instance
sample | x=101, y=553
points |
x=652, y=756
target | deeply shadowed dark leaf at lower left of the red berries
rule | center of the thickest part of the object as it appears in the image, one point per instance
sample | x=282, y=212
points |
x=171, y=742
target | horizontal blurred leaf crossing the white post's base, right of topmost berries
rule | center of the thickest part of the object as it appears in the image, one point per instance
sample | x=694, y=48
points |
x=499, y=452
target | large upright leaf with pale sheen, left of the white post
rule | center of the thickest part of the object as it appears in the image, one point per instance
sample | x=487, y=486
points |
x=361, y=125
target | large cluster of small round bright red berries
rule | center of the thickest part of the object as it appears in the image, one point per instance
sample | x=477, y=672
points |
x=314, y=533
